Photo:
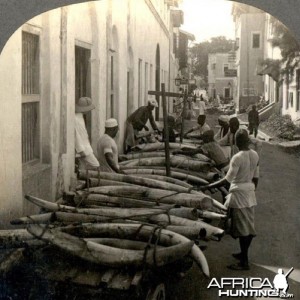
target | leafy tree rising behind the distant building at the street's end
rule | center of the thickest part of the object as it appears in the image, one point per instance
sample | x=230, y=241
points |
x=200, y=53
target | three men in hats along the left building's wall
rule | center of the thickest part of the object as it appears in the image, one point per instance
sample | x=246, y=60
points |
x=106, y=158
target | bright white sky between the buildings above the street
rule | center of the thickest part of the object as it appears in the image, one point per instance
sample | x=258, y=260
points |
x=207, y=18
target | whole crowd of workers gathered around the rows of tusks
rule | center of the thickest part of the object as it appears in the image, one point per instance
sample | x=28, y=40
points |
x=239, y=165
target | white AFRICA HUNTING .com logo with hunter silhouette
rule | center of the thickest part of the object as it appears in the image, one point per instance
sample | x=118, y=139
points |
x=253, y=286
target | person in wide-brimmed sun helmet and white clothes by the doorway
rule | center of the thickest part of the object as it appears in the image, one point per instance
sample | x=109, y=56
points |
x=82, y=143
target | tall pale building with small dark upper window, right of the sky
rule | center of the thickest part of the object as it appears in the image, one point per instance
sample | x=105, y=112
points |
x=250, y=35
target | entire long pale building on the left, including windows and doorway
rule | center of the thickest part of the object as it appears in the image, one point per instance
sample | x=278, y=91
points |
x=97, y=49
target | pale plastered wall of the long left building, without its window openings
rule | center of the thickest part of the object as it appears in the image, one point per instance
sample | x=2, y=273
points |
x=96, y=26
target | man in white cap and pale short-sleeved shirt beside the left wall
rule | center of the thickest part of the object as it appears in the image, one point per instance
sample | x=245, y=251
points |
x=107, y=148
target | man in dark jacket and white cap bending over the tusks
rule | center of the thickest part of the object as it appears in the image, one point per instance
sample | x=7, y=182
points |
x=137, y=122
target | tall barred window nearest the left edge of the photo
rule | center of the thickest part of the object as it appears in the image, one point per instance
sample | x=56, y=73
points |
x=30, y=97
